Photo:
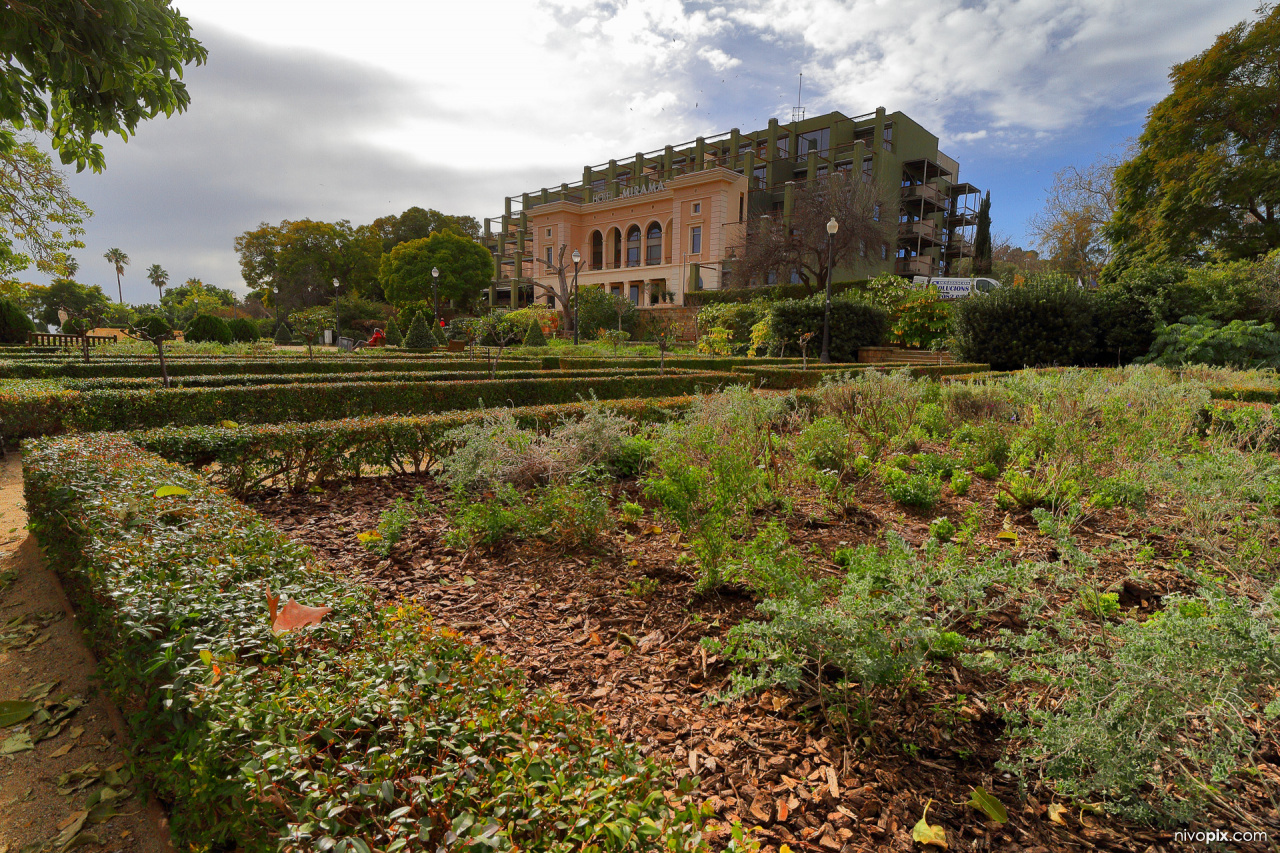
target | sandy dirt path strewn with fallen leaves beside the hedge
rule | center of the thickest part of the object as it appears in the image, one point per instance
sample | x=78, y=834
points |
x=63, y=776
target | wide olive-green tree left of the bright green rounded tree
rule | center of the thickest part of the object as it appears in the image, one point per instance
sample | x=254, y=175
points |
x=304, y=259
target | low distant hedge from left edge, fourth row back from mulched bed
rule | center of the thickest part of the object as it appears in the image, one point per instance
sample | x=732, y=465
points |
x=235, y=367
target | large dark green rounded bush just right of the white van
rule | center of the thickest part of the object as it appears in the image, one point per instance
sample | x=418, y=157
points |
x=1046, y=322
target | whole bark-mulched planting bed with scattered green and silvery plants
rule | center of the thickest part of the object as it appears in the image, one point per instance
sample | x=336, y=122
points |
x=1043, y=606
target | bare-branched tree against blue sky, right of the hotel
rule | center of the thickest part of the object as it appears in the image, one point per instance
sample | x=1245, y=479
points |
x=1077, y=209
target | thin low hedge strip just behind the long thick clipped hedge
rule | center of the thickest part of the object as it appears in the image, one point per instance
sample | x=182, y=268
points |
x=319, y=378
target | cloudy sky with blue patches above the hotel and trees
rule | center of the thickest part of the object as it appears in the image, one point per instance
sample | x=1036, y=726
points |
x=330, y=111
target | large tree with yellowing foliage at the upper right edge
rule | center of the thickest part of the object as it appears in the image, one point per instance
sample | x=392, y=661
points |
x=1206, y=176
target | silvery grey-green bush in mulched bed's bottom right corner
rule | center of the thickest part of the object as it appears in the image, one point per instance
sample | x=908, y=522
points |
x=1158, y=714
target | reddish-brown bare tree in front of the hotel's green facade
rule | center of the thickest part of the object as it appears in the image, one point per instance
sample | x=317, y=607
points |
x=801, y=245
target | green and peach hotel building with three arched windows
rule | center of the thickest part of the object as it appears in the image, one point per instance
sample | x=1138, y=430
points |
x=660, y=225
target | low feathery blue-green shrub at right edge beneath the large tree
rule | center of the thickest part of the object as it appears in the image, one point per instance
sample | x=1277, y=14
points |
x=1241, y=344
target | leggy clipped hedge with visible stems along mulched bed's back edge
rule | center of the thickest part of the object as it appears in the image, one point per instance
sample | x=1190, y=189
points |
x=300, y=455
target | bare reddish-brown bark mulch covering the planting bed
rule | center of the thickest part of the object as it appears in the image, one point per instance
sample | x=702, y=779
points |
x=619, y=630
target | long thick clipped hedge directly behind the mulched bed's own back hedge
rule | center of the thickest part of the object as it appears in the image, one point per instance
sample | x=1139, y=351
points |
x=35, y=409
